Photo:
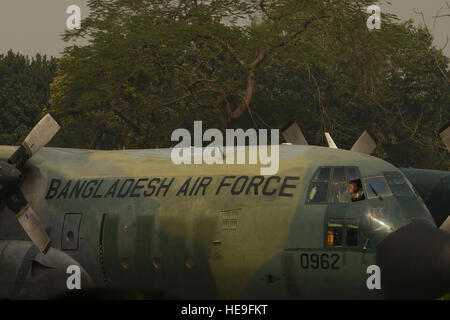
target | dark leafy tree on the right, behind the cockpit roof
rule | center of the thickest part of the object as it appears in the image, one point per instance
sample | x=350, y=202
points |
x=403, y=101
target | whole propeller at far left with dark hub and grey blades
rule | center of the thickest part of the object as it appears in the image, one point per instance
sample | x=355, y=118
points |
x=11, y=176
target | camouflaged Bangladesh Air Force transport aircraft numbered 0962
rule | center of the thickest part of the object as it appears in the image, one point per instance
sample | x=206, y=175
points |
x=136, y=224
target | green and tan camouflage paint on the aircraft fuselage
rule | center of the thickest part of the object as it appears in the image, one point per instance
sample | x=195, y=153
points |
x=195, y=245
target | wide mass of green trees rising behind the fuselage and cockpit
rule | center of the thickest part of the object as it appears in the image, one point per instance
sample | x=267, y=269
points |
x=153, y=66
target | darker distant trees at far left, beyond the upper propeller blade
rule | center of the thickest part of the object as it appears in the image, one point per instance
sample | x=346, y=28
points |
x=24, y=93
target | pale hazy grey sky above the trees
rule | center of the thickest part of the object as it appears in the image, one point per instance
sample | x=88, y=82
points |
x=35, y=26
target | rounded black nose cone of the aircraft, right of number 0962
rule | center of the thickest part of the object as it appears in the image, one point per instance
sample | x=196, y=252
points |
x=415, y=262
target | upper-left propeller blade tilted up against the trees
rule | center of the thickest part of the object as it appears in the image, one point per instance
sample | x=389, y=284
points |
x=39, y=136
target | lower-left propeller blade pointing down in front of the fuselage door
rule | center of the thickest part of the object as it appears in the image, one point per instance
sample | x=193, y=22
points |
x=29, y=220
